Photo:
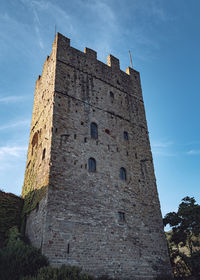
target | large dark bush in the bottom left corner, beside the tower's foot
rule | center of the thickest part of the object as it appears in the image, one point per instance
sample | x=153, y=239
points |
x=19, y=259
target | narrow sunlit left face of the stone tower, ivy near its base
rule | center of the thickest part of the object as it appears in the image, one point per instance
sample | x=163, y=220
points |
x=35, y=188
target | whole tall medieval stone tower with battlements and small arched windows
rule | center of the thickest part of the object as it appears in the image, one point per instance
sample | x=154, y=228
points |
x=90, y=190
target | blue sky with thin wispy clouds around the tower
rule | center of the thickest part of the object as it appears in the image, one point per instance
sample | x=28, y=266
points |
x=164, y=39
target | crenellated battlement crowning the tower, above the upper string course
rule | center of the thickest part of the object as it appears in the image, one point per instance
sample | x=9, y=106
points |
x=87, y=62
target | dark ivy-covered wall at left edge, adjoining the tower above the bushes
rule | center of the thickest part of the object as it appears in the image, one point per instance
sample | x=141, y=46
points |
x=10, y=213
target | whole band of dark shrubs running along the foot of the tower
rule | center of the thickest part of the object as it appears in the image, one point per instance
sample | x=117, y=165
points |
x=21, y=261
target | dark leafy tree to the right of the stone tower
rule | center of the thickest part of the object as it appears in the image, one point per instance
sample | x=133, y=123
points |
x=184, y=239
